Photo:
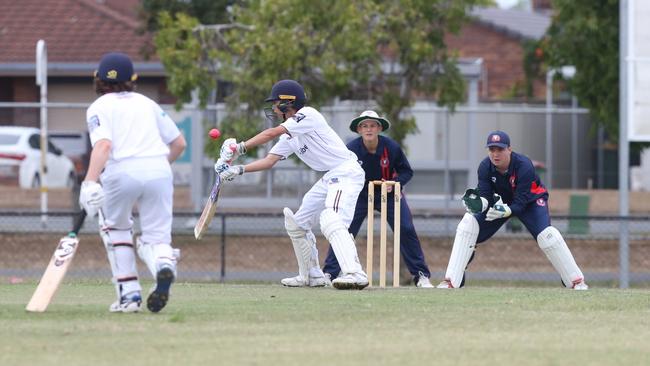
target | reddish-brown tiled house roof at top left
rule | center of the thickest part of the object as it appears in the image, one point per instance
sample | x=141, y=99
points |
x=77, y=33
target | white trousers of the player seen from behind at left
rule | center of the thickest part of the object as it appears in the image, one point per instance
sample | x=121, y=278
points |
x=143, y=182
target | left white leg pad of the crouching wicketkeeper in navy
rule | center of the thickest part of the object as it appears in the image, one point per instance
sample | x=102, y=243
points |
x=464, y=244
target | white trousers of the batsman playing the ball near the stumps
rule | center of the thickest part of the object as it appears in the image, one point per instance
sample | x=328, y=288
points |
x=338, y=189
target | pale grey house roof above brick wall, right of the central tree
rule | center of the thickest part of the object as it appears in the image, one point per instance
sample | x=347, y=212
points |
x=518, y=23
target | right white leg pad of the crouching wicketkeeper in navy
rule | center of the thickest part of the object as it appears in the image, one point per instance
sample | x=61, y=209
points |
x=553, y=245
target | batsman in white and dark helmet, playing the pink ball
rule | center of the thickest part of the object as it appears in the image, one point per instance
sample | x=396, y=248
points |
x=332, y=199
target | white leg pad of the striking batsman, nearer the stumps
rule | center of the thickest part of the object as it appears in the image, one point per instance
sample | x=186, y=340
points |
x=341, y=240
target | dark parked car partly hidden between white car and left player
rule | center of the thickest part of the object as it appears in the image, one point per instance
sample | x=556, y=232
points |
x=76, y=146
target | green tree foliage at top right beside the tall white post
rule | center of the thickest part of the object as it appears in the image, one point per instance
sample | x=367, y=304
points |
x=585, y=33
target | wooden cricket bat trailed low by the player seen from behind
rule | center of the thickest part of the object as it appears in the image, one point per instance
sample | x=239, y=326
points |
x=56, y=269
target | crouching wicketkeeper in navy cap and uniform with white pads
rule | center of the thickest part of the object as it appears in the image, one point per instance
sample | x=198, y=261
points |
x=508, y=186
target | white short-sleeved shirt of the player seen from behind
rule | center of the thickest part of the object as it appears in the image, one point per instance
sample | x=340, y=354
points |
x=136, y=126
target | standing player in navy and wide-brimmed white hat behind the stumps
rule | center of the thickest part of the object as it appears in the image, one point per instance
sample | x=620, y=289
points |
x=383, y=159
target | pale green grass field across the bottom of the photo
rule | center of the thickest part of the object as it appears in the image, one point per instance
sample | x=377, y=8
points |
x=264, y=324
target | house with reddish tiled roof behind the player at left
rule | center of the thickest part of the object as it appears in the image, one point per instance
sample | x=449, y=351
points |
x=77, y=33
